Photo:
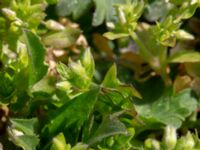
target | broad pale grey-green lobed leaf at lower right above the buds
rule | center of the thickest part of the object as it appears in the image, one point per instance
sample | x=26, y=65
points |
x=169, y=109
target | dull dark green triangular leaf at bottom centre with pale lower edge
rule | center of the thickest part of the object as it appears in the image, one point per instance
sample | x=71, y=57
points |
x=110, y=126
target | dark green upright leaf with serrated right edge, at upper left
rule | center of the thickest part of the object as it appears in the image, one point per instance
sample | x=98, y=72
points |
x=36, y=54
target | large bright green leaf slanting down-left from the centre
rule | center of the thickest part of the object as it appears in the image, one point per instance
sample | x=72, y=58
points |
x=76, y=111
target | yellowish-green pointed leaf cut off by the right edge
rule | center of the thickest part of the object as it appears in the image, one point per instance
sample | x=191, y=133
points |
x=185, y=57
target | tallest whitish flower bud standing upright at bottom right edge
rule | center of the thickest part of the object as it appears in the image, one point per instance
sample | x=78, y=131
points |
x=170, y=137
